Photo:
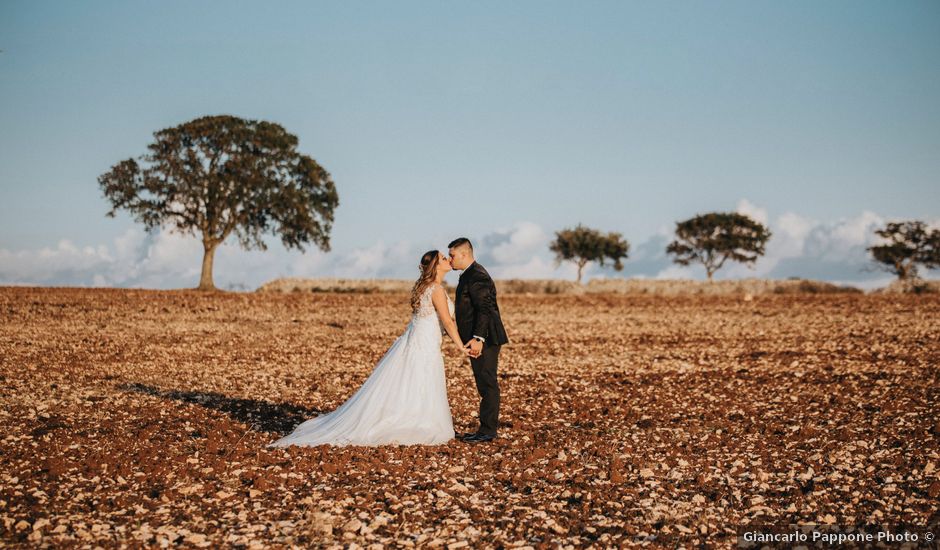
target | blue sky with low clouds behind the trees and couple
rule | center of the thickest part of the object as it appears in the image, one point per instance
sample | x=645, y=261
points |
x=501, y=121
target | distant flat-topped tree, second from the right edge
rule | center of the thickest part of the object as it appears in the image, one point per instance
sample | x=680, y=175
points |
x=713, y=238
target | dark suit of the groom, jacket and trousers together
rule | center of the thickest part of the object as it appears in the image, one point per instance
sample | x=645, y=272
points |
x=477, y=314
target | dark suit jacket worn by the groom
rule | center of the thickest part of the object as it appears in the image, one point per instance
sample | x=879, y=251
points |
x=475, y=309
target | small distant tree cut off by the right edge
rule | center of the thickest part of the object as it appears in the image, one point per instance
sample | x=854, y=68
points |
x=909, y=244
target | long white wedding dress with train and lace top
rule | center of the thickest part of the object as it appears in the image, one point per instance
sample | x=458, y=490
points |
x=403, y=401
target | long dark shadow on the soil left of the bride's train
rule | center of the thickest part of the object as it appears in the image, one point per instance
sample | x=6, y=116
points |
x=268, y=417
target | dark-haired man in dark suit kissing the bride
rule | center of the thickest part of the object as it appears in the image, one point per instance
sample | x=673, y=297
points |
x=480, y=326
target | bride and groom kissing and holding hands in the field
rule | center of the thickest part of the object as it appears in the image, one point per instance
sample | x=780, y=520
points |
x=404, y=399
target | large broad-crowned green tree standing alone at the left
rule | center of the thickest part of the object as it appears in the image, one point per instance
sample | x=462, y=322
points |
x=218, y=175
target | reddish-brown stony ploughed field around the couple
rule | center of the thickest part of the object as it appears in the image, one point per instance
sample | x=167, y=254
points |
x=140, y=417
